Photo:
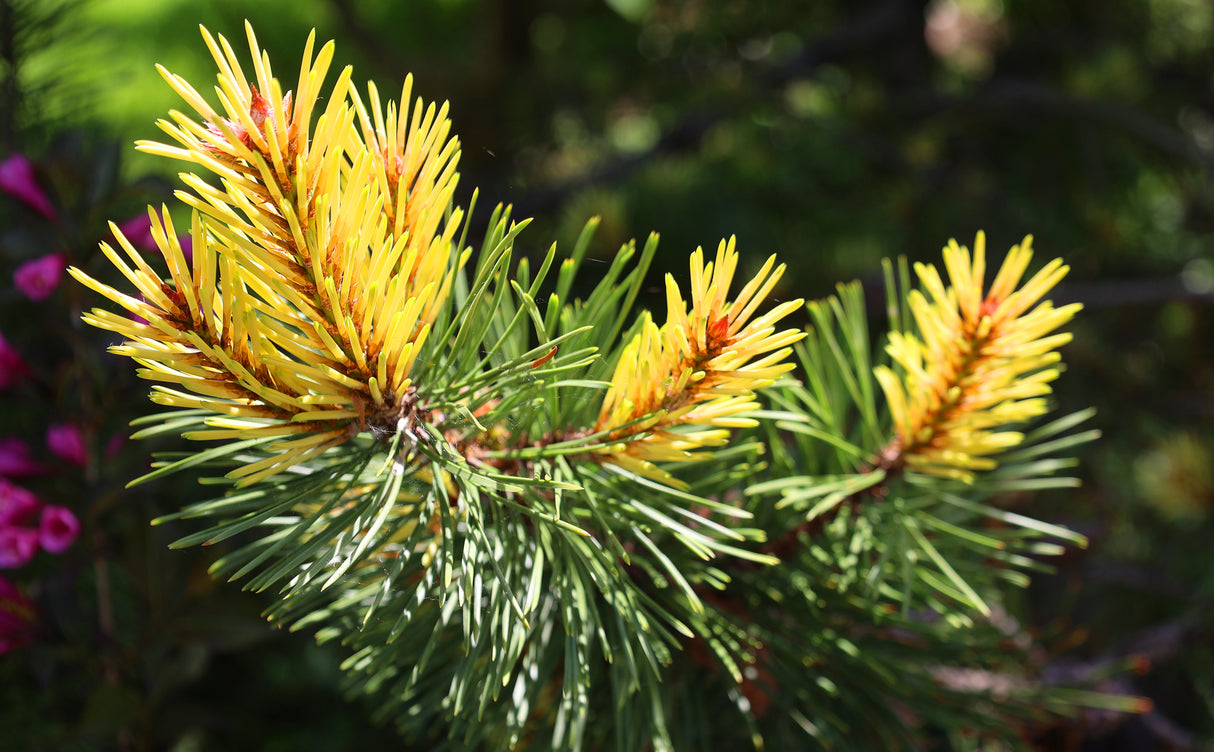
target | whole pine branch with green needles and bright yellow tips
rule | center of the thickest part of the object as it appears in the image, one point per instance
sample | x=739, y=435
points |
x=554, y=523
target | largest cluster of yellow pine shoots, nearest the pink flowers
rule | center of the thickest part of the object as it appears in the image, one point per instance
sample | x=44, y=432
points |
x=321, y=255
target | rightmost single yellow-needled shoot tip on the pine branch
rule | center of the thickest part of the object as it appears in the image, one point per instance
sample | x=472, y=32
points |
x=980, y=363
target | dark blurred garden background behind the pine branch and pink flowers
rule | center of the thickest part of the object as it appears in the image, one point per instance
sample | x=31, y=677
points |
x=835, y=133
